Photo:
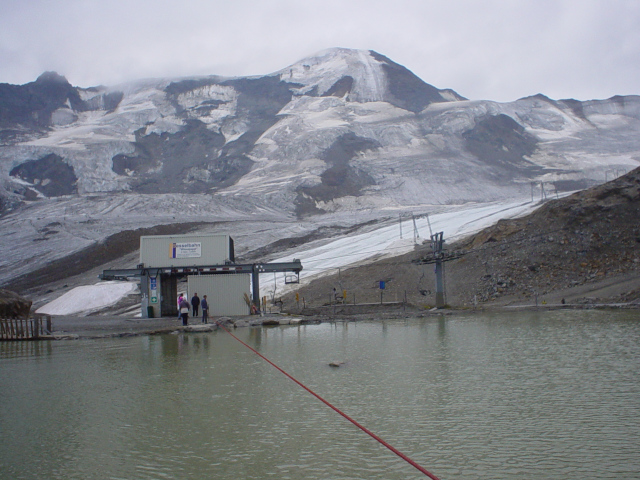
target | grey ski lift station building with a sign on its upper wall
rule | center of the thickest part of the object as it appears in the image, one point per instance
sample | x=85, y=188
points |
x=208, y=263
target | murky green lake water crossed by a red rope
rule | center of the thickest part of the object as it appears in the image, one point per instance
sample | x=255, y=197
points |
x=539, y=395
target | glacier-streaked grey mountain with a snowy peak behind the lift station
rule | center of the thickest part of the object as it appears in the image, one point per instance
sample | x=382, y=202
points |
x=340, y=132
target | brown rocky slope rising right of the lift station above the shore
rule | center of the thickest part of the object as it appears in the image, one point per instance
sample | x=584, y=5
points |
x=583, y=249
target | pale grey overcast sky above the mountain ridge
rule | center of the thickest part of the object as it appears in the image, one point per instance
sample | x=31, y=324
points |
x=483, y=49
